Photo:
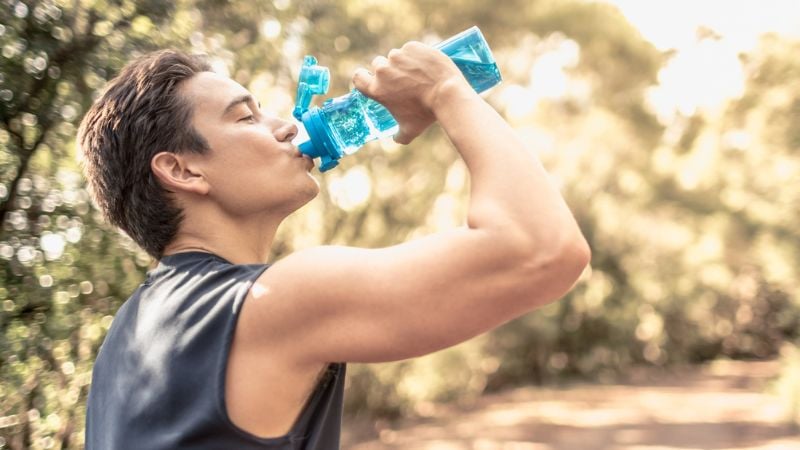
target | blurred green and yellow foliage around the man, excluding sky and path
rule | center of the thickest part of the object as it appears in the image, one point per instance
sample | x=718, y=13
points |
x=691, y=220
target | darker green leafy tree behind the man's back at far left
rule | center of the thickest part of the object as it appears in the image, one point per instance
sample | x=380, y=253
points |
x=64, y=272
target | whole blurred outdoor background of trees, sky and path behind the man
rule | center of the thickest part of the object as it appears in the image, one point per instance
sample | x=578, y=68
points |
x=672, y=128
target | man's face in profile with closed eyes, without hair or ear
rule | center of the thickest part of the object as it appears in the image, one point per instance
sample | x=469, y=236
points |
x=252, y=166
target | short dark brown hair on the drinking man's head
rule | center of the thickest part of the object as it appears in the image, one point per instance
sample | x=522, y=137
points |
x=140, y=114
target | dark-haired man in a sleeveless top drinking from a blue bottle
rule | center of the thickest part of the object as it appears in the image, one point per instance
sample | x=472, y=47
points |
x=215, y=352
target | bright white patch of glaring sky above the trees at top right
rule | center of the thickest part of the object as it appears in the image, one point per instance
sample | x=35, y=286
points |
x=705, y=71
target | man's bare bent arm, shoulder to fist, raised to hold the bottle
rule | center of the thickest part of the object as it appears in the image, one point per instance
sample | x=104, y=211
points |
x=521, y=247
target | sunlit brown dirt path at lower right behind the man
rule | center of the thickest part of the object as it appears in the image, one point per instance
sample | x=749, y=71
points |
x=722, y=406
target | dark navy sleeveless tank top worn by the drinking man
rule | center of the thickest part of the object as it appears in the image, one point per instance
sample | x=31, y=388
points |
x=159, y=378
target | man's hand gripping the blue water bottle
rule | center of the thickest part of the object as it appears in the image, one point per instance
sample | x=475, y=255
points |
x=411, y=82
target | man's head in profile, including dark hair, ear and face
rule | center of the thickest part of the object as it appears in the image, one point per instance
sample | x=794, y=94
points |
x=168, y=134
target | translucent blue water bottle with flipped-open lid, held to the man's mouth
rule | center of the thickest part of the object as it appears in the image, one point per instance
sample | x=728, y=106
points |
x=344, y=124
